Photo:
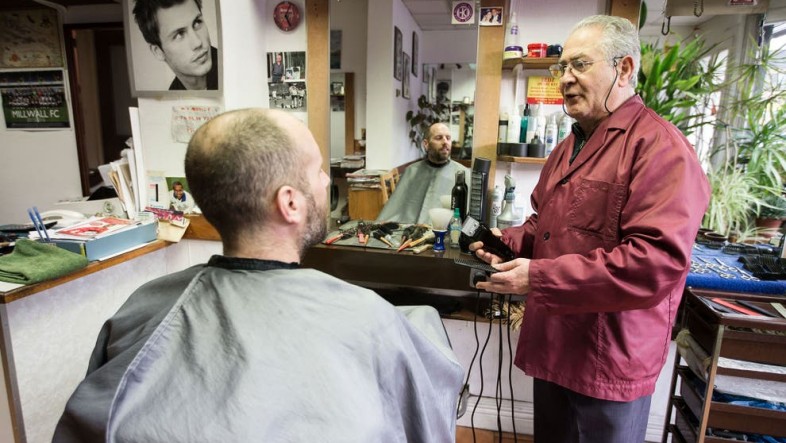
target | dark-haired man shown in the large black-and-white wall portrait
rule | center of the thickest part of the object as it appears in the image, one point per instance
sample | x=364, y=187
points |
x=178, y=35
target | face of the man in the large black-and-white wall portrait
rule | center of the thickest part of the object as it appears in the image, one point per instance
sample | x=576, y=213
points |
x=185, y=42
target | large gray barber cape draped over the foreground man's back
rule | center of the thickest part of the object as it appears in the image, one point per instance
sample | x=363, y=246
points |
x=243, y=350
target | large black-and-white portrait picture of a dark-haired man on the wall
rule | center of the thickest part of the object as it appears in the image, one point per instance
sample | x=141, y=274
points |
x=160, y=64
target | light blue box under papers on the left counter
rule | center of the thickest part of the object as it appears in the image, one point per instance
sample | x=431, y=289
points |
x=105, y=247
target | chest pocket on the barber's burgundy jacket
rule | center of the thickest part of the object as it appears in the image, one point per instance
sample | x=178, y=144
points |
x=595, y=209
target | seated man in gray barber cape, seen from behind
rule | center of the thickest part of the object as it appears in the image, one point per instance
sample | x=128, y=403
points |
x=251, y=347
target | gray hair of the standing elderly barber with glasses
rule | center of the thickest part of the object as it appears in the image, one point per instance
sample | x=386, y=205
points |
x=620, y=38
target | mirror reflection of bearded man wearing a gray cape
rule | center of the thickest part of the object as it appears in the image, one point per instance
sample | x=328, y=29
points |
x=423, y=183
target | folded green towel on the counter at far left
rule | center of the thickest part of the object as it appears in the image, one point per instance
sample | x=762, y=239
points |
x=33, y=262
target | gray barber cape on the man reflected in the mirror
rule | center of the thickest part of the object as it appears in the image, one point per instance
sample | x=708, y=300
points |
x=419, y=189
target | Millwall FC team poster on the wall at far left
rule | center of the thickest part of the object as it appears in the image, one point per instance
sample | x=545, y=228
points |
x=34, y=99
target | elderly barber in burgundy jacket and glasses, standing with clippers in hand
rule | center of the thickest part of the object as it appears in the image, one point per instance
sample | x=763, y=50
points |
x=605, y=256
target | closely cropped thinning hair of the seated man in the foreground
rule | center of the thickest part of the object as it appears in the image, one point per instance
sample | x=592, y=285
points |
x=235, y=163
